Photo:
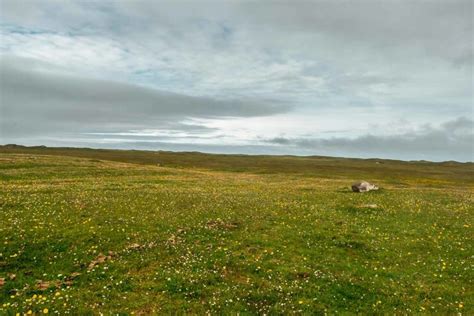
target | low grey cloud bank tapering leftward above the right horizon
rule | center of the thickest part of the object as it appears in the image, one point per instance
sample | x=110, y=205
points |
x=451, y=140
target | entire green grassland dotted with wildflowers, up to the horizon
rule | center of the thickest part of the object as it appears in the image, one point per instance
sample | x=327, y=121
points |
x=85, y=231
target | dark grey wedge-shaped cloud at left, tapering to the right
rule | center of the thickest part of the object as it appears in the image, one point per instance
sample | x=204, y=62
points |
x=37, y=100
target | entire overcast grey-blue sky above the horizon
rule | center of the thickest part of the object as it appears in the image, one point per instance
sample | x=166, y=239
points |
x=387, y=79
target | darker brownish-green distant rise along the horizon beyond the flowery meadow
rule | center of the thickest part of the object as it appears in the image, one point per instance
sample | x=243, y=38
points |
x=312, y=166
